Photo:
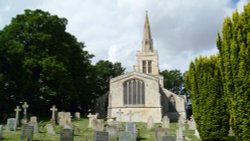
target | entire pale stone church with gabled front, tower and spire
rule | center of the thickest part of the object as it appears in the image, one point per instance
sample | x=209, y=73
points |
x=140, y=94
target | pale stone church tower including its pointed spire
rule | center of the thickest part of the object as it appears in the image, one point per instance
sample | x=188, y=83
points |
x=147, y=57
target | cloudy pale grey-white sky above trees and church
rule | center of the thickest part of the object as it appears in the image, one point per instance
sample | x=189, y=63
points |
x=112, y=29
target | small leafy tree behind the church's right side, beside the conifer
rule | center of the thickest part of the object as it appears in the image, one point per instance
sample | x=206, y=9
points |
x=173, y=80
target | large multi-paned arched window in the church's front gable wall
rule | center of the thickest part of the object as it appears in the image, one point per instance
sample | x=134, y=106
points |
x=134, y=92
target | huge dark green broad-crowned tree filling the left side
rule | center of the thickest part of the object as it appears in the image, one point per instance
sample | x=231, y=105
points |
x=42, y=64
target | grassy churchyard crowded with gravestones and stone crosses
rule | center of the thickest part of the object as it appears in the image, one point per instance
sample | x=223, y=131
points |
x=62, y=126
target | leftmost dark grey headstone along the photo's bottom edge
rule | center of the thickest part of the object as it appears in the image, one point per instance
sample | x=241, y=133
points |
x=27, y=132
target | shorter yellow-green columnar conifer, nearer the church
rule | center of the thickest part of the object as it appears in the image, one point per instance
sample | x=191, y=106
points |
x=204, y=81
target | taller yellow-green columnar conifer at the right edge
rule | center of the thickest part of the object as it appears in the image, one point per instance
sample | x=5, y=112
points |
x=234, y=47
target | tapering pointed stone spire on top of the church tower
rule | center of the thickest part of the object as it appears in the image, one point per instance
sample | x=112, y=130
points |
x=147, y=42
